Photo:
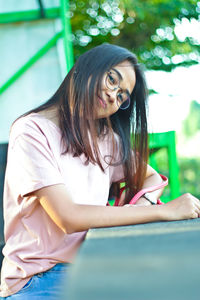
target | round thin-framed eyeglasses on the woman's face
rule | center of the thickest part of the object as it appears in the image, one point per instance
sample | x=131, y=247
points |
x=112, y=83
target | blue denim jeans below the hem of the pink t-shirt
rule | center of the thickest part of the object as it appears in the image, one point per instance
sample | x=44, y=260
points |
x=46, y=285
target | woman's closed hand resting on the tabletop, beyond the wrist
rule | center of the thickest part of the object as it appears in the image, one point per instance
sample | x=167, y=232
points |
x=181, y=208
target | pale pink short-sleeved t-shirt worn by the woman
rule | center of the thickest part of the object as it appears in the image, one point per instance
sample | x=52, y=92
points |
x=34, y=243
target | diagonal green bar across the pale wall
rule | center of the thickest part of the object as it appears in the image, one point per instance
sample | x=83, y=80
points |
x=30, y=62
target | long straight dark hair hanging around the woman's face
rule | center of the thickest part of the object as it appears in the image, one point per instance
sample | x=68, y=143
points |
x=75, y=99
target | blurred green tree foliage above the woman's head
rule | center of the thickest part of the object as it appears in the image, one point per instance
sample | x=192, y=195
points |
x=148, y=28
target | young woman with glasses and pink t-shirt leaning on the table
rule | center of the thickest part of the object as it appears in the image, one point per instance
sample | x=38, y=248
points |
x=64, y=159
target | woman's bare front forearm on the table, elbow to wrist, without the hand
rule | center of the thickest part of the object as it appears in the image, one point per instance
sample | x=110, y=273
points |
x=85, y=217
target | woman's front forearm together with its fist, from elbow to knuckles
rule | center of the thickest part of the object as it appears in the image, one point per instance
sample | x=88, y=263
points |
x=184, y=207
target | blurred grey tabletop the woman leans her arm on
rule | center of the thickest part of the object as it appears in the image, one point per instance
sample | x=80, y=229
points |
x=155, y=261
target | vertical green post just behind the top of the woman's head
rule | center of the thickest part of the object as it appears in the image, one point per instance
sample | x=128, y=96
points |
x=67, y=33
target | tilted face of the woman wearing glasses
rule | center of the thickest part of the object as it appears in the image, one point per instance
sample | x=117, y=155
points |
x=117, y=85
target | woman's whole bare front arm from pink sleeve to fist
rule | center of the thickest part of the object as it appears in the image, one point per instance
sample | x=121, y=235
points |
x=72, y=217
